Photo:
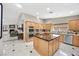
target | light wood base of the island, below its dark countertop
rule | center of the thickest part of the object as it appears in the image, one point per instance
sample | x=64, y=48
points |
x=46, y=48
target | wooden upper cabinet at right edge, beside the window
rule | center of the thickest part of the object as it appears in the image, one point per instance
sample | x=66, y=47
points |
x=74, y=25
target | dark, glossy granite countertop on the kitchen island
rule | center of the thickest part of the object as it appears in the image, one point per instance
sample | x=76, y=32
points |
x=47, y=37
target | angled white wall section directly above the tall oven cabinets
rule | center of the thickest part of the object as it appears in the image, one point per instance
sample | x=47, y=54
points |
x=26, y=17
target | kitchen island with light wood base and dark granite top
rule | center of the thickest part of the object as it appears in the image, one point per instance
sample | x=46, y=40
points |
x=46, y=44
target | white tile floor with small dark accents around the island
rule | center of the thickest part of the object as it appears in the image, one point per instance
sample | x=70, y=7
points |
x=13, y=47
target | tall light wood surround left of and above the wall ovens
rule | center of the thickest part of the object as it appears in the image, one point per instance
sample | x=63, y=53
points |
x=27, y=25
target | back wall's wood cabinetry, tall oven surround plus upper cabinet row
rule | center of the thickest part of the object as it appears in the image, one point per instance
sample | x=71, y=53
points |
x=39, y=26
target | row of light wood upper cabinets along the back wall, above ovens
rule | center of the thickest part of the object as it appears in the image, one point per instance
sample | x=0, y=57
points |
x=38, y=25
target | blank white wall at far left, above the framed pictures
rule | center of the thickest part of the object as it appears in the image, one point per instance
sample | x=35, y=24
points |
x=10, y=16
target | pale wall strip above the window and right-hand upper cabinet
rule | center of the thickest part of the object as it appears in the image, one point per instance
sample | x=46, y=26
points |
x=60, y=20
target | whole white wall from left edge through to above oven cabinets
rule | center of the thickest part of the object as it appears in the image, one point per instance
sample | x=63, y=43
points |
x=13, y=15
